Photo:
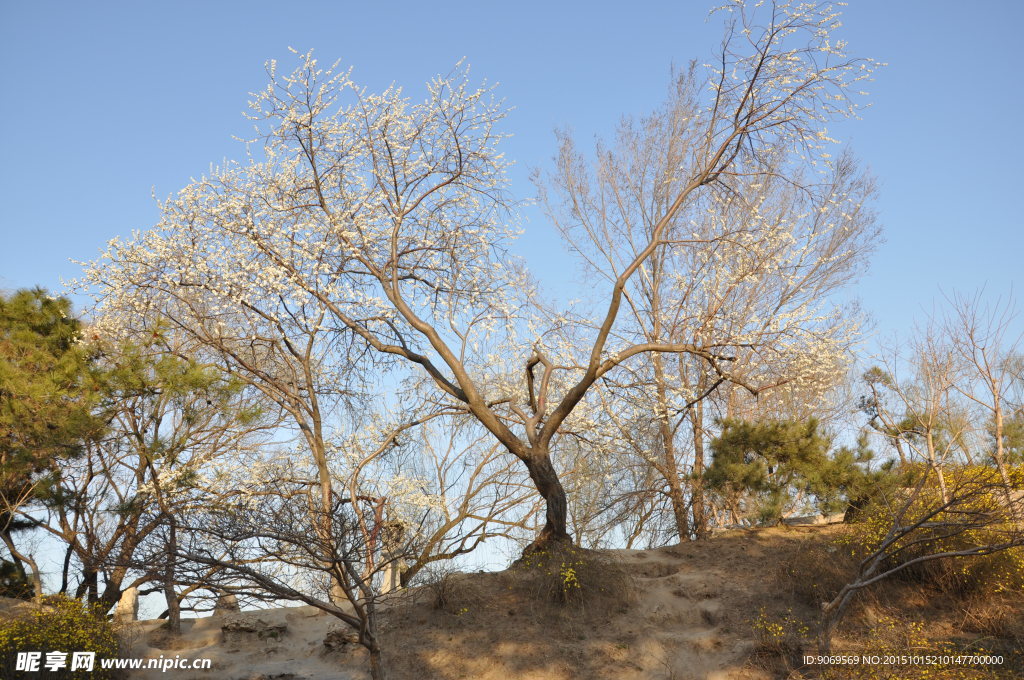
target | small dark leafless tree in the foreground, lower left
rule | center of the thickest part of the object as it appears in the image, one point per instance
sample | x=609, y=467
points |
x=265, y=547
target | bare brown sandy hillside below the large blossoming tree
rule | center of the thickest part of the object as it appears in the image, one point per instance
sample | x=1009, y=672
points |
x=689, y=617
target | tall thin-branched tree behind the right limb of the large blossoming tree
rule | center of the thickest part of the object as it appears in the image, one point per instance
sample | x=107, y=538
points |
x=763, y=259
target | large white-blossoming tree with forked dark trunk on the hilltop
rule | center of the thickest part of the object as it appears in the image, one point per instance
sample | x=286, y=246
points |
x=381, y=223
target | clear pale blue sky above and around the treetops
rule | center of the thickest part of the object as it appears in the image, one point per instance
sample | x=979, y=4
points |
x=106, y=104
